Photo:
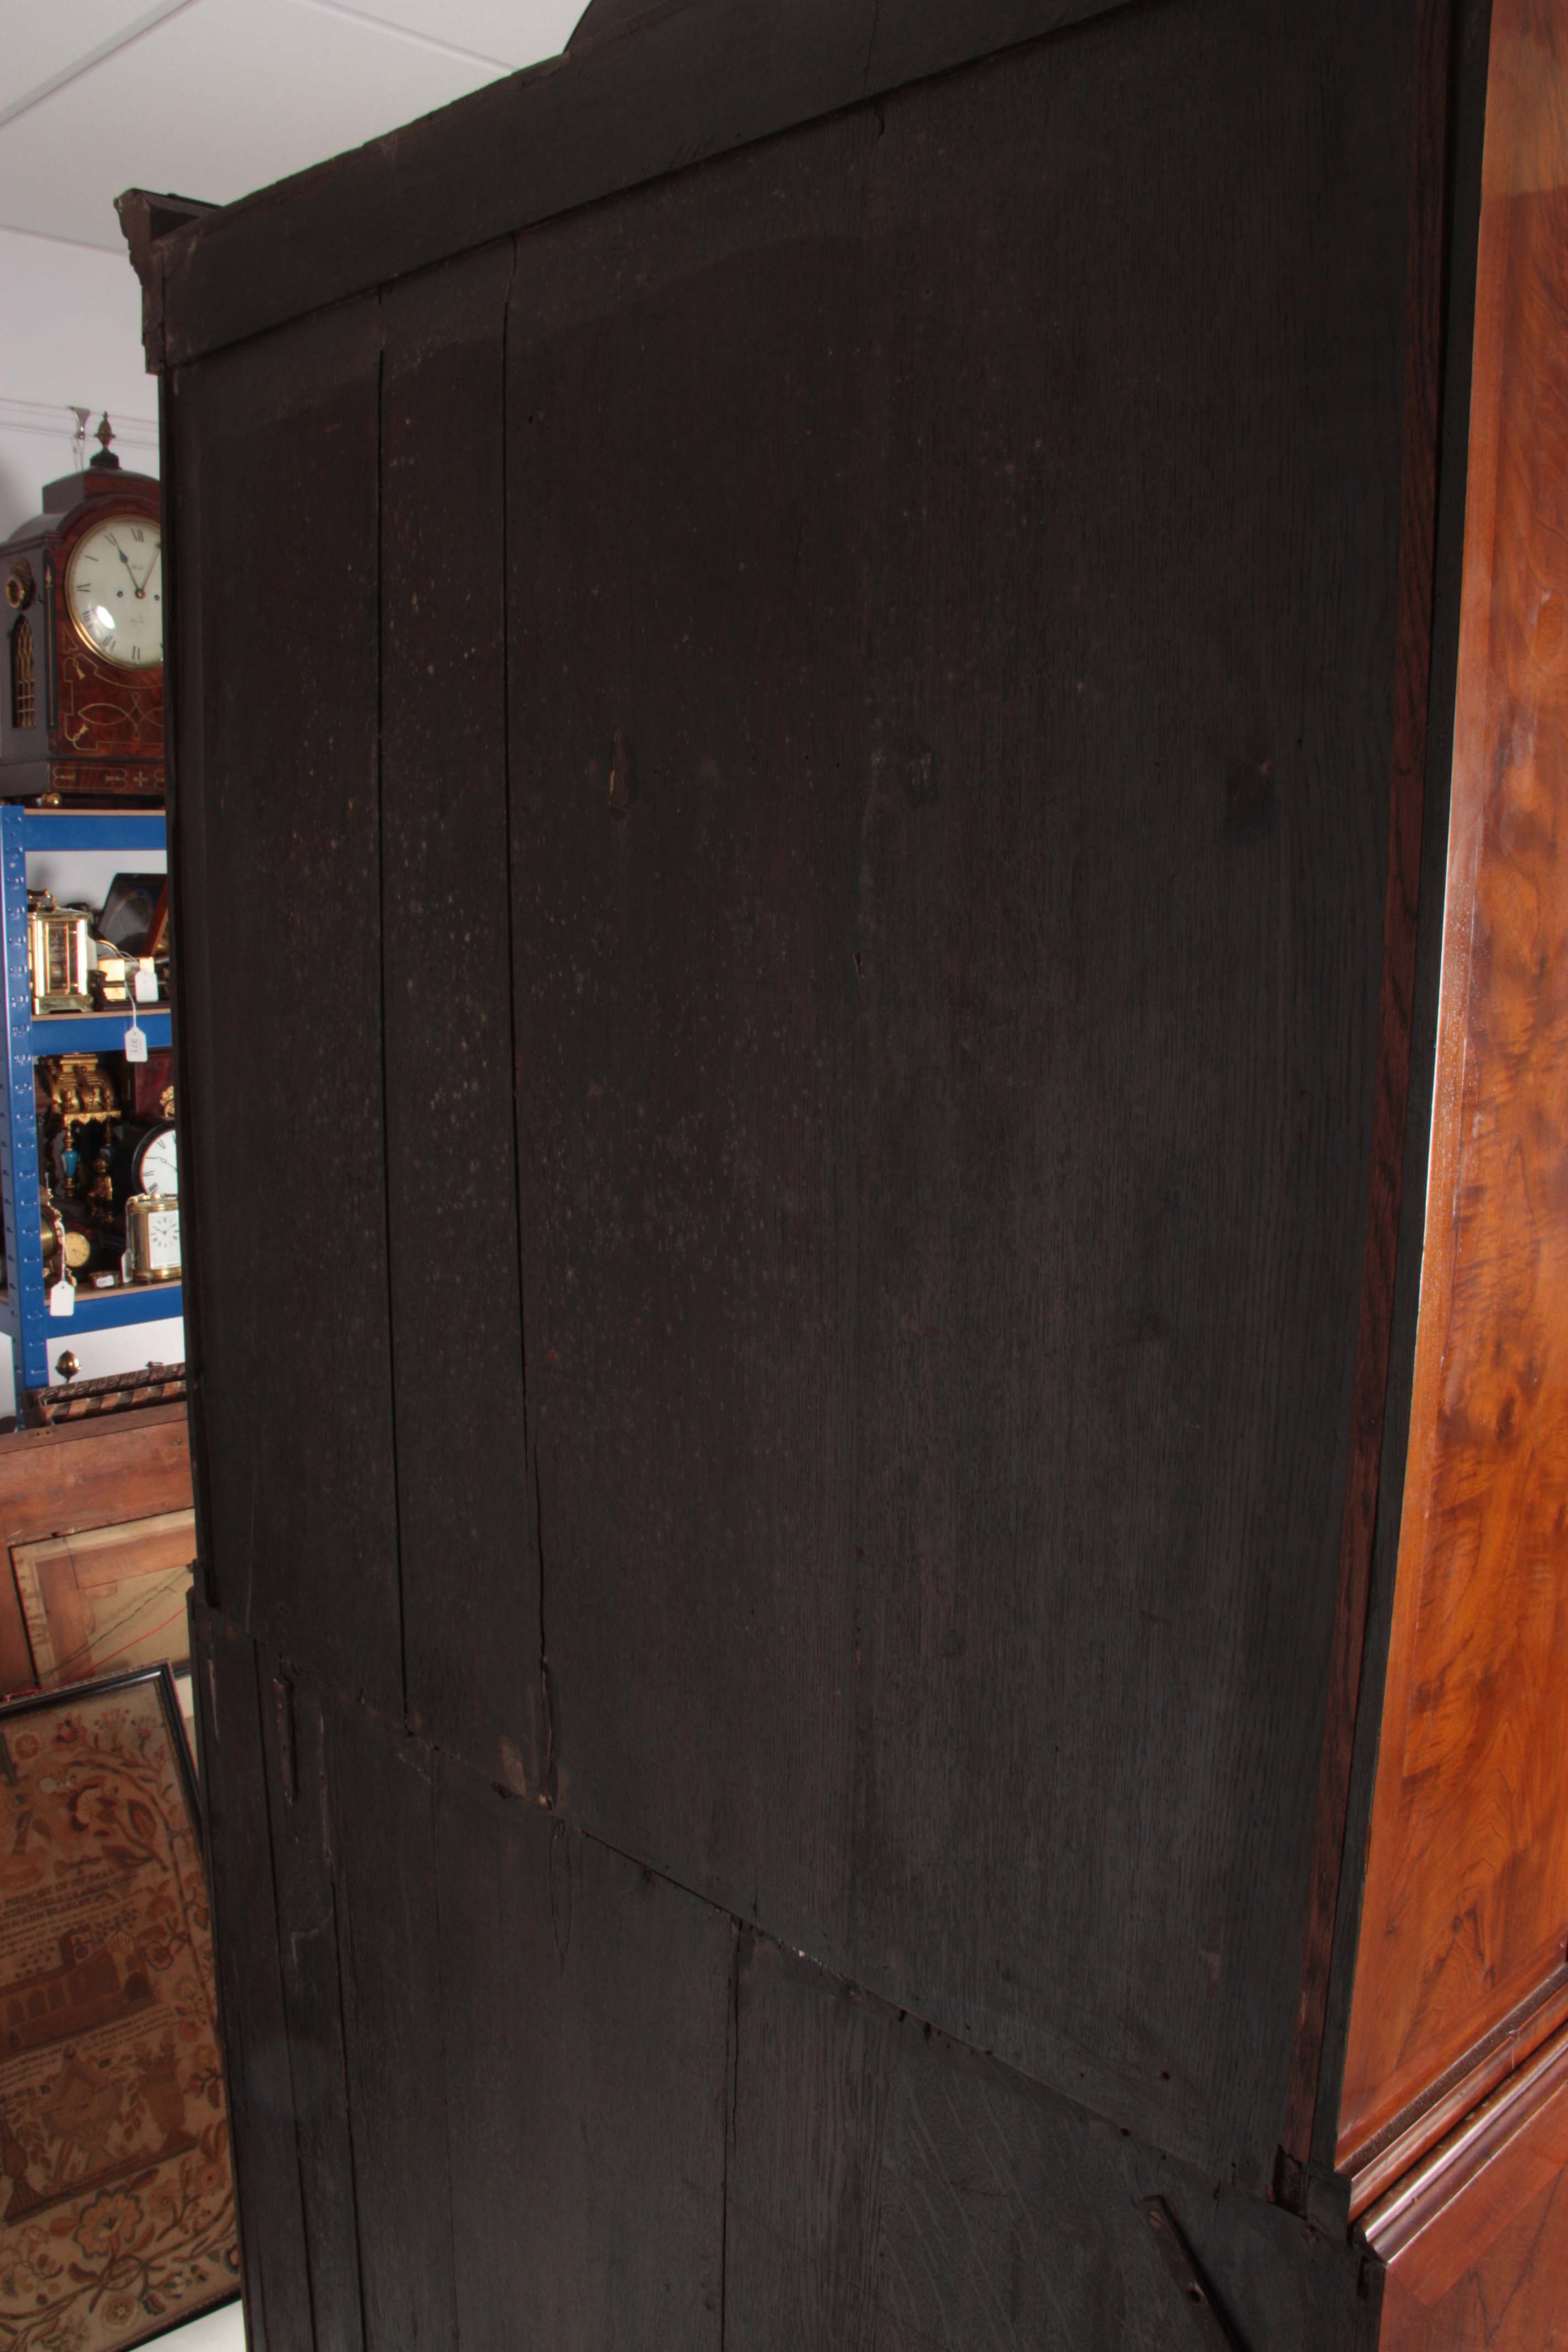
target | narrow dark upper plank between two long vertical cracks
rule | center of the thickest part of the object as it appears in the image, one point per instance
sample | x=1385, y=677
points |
x=471, y=1643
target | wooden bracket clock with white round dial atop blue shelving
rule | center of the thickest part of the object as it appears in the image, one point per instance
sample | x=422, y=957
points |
x=81, y=714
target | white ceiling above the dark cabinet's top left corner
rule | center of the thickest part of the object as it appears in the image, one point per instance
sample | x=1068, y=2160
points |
x=217, y=98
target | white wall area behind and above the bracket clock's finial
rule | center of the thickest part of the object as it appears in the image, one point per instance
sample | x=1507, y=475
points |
x=69, y=338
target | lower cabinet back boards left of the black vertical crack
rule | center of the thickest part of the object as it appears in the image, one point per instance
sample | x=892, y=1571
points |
x=485, y=2057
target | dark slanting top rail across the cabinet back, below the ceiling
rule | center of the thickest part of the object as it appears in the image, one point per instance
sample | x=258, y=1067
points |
x=666, y=93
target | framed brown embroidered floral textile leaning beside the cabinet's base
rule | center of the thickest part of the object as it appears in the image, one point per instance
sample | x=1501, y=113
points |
x=116, y=2200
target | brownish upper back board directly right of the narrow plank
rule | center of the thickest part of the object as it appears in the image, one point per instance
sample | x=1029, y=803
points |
x=685, y=864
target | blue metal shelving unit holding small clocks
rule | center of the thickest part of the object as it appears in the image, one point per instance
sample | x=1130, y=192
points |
x=25, y=1311
